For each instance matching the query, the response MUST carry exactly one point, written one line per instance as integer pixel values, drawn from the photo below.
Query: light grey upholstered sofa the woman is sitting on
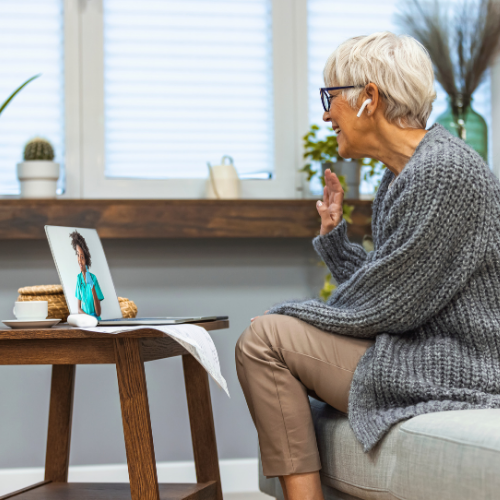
(450, 455)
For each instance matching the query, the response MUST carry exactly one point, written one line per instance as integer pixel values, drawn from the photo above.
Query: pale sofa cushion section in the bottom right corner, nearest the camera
(456, 452)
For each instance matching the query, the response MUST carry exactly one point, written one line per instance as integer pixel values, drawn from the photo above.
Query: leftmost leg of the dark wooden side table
(60, 416)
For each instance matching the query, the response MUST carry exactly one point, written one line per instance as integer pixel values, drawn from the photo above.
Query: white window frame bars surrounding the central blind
(84, 113)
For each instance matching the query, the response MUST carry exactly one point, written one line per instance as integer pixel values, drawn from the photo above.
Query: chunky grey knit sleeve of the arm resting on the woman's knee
(433, 233)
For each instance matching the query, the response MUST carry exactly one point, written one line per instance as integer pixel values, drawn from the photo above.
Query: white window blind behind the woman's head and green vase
(330, 22)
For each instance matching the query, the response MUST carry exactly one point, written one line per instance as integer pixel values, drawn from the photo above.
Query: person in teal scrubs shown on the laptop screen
(88, 291)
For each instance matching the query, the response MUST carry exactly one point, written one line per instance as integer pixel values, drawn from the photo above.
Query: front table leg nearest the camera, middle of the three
(136, 421)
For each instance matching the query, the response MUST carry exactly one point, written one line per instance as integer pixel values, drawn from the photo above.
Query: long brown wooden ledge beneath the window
(25, 219)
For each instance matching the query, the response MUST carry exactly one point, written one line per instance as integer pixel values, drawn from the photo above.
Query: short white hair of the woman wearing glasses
(401, 68)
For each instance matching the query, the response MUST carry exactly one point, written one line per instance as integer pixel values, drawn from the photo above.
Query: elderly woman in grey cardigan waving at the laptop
(414, 326)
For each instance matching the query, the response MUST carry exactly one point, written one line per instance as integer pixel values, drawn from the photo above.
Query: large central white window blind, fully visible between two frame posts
(186, 83)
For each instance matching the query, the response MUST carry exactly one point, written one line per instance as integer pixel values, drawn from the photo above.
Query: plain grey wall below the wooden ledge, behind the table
(240, 278)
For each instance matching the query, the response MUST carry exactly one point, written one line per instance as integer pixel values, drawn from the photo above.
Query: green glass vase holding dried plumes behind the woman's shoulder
(470, 126)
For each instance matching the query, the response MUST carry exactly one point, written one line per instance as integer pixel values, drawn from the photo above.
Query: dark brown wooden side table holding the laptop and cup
(64, 347)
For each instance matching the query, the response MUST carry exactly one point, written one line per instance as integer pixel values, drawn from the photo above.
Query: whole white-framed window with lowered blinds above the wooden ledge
(137, 97)
